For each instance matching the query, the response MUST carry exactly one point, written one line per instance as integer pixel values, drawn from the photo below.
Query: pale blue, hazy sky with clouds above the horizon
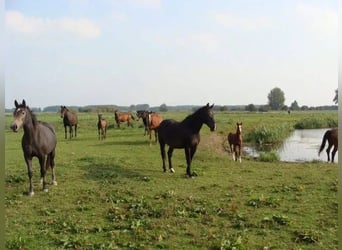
(124, 52)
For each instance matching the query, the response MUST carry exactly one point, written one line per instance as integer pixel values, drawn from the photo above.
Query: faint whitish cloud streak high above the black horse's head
(240, 22)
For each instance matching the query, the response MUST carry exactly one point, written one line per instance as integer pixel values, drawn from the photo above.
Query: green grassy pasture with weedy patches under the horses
(113, 194)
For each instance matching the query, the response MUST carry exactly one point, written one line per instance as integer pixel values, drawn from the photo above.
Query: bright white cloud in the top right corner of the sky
(319, 20)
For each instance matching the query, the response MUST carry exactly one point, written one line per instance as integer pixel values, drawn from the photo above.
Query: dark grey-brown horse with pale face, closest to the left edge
(39, 140)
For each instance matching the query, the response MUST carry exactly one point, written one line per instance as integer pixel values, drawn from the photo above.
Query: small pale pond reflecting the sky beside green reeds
(301, 146)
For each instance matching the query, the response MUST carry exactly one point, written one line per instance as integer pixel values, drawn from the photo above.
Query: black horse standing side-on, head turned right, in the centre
(184, 134)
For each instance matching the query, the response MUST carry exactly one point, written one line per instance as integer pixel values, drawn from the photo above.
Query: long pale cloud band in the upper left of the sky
(83, 27)
